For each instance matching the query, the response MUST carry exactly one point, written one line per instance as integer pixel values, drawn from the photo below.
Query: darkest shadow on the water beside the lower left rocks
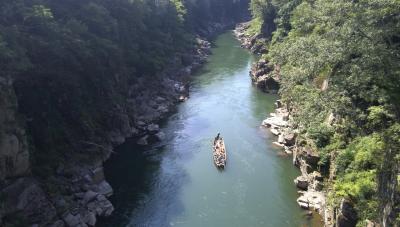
(130, 171)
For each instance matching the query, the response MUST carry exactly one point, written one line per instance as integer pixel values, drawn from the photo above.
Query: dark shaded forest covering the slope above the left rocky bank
(74, 62)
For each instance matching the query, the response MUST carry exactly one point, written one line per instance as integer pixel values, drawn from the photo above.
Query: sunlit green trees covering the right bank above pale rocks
(340, 72)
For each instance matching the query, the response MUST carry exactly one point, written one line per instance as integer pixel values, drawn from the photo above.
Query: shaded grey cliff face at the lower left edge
(19, 191)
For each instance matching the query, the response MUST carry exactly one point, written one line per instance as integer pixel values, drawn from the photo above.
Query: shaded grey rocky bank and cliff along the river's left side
(44, 188)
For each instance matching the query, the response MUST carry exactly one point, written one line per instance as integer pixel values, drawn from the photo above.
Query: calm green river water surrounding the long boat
(175, 183)
